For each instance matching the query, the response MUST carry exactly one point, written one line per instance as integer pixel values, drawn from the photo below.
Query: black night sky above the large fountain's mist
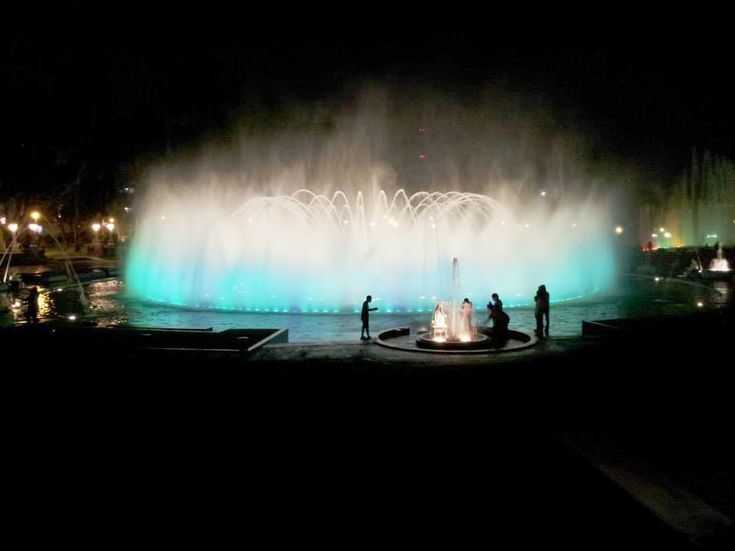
(104, 86)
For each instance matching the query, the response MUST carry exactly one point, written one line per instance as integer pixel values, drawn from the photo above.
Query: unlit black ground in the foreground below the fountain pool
(350, 449)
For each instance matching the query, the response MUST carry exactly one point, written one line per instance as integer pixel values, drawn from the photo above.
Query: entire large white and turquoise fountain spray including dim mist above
(311, 220)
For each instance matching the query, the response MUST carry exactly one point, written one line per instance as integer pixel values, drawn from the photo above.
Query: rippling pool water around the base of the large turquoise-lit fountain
(636, 297)
